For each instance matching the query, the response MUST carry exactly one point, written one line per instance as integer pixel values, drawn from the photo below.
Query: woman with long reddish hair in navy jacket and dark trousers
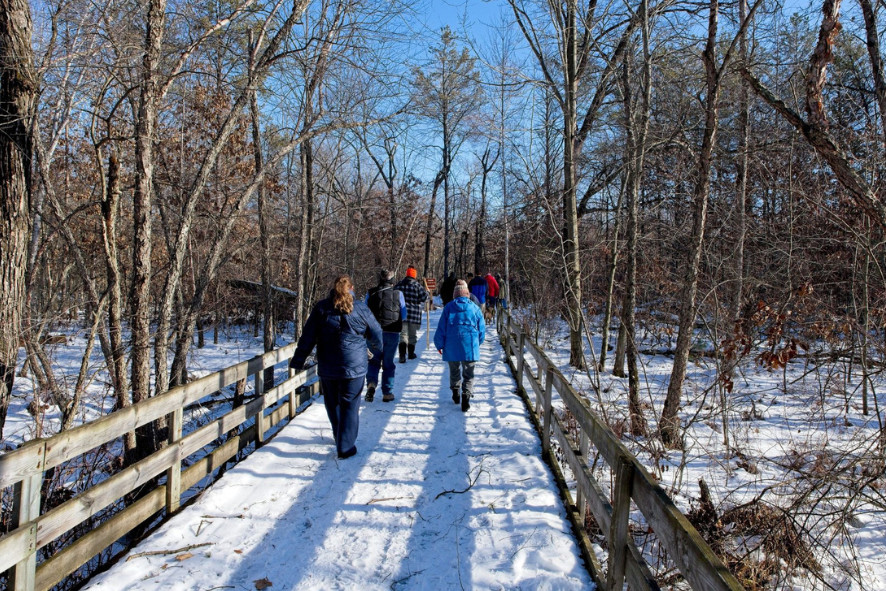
(340, 328)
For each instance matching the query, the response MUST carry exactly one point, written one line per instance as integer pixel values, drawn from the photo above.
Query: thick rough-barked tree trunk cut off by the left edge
(18, 91)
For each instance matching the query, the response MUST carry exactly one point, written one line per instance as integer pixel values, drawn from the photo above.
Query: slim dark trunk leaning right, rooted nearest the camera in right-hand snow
(671, 434)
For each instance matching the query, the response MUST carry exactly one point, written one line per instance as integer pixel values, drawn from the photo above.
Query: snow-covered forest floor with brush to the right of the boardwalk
(801, 482)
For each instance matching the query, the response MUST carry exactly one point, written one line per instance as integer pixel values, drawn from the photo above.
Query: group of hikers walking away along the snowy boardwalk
(386, 322)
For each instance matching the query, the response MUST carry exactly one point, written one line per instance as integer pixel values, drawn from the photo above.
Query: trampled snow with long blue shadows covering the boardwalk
(435, 499)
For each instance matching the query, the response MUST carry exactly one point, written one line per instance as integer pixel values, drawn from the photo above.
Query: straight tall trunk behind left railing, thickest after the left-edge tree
(140, 299)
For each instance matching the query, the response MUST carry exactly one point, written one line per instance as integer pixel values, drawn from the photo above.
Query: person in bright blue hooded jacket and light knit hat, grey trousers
(460, 332)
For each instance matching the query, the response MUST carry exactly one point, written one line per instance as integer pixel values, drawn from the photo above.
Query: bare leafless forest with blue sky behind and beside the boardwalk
(668, 167)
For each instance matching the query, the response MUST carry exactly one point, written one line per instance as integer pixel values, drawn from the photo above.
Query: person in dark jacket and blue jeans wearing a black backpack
(389, 307)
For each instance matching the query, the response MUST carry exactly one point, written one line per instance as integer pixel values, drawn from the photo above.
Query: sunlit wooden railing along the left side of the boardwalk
(24, 468)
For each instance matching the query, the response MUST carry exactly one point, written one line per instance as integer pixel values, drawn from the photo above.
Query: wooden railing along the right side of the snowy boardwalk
(698, 564)
